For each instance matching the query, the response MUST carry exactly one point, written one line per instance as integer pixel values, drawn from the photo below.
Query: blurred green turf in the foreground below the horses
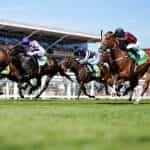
(73, 125)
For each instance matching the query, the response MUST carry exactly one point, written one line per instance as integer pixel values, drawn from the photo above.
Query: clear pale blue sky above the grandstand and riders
(83, 15)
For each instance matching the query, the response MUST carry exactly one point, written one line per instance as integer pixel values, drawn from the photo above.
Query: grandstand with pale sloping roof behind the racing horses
(57, 41)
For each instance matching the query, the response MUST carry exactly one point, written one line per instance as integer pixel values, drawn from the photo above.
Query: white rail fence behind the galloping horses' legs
(60, 87)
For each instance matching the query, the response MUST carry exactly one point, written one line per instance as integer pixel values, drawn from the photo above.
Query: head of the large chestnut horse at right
(108, 41)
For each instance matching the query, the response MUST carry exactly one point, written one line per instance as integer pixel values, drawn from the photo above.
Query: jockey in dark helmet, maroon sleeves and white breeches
(127, 41)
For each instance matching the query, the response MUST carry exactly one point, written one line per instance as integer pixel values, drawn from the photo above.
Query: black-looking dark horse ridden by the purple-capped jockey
(23, 62)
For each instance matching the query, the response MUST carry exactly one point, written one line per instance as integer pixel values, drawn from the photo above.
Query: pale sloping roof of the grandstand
(46, 32)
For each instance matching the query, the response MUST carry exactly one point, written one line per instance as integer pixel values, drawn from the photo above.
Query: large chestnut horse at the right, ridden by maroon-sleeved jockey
(122, 66)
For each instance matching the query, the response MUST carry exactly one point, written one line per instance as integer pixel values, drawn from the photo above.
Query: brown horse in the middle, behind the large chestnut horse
(83, 75)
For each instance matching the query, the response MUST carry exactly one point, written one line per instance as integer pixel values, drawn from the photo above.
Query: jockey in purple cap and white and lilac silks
(35, 49)
